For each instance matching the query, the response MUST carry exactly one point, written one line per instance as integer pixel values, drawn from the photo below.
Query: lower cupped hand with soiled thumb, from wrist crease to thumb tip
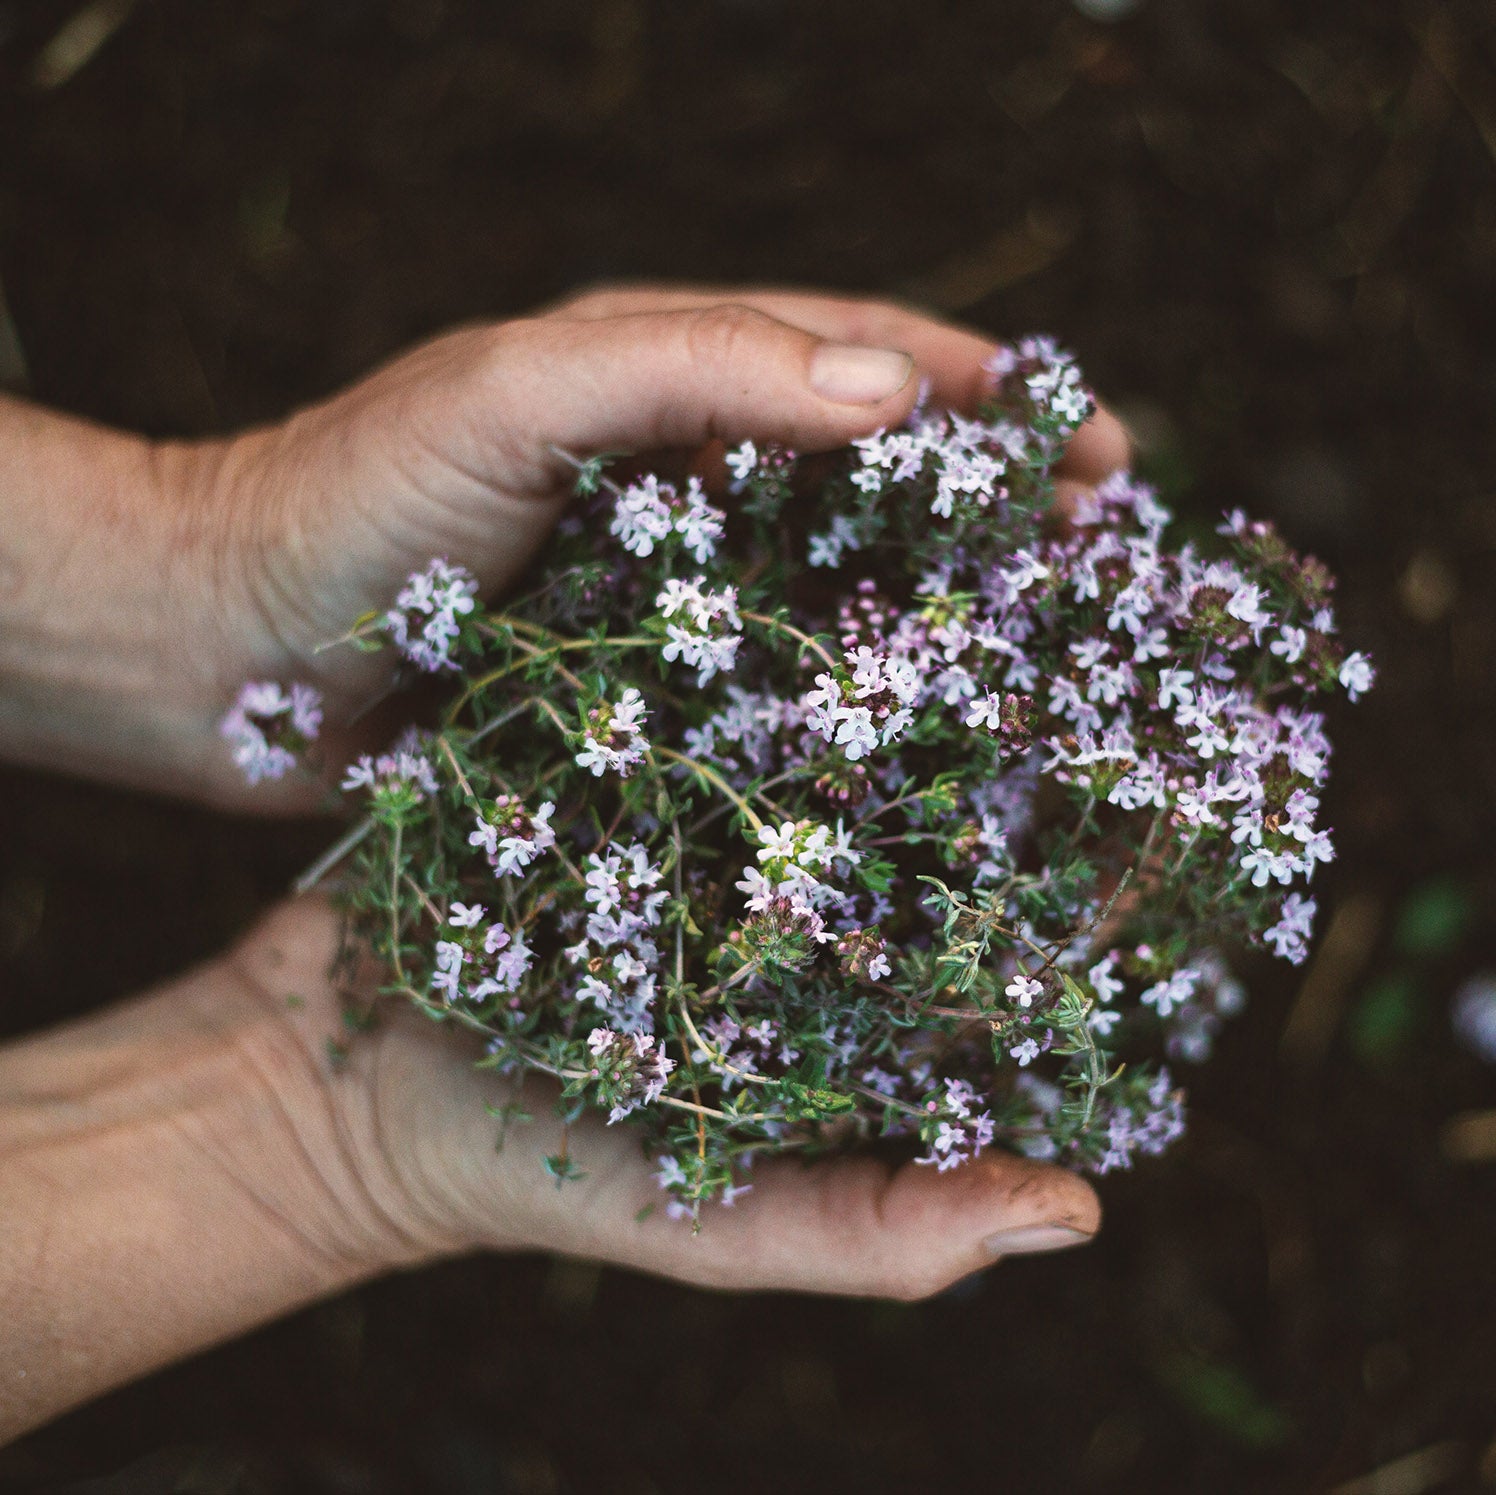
(403, 1147)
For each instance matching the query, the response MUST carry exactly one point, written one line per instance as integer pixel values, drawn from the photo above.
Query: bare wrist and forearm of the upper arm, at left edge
(102, 620)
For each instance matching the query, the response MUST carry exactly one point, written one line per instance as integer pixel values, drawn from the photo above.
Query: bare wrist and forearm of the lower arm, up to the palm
(174, 1173)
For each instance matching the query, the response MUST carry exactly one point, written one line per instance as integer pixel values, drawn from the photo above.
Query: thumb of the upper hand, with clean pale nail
(681, 378)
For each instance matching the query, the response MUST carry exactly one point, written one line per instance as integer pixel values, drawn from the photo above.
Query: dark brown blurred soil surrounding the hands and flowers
(1268, 230)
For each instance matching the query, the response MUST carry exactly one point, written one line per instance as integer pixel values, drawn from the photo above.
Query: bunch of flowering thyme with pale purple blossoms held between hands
(963, 806)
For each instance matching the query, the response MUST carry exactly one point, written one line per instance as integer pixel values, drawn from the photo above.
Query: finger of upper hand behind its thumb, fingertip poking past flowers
(951, 357)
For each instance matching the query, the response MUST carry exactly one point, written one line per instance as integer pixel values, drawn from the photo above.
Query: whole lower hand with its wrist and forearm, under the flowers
(185, 1167)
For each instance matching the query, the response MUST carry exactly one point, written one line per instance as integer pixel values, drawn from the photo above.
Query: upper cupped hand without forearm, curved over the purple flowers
(453, 451)
